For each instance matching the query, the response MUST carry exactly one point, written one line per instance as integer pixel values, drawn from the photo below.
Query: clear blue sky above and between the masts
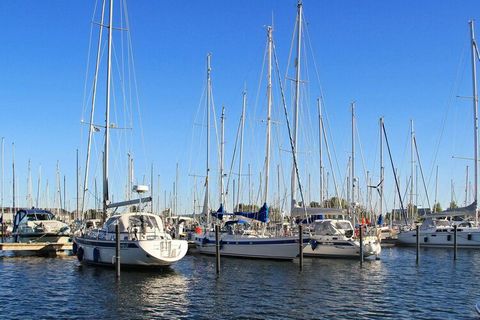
(400, 59)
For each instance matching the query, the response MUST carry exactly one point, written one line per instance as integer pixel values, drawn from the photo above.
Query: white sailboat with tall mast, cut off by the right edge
(436, 230)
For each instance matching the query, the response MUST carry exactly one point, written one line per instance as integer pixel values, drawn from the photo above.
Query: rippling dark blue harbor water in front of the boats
(393, 287)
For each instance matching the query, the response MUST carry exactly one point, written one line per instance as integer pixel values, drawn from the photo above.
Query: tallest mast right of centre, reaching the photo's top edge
(297, 101)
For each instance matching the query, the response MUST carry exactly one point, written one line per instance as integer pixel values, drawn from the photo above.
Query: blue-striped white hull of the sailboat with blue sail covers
(279, 248)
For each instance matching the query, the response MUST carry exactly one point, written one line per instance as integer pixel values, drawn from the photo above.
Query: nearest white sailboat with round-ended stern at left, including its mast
(143, 239)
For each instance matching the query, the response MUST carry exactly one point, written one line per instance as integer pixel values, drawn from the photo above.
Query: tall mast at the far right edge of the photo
(475, 116)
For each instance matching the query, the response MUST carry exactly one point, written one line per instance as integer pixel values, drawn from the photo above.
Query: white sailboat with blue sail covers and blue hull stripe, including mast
(238, 241)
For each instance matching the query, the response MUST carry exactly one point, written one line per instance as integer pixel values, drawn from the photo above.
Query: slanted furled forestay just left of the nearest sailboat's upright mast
(92, 112)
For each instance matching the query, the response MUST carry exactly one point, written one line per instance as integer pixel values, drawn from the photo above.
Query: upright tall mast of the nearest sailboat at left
(107, 115)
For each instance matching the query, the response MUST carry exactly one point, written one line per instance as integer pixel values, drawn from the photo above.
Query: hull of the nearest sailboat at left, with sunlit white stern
(139, 253)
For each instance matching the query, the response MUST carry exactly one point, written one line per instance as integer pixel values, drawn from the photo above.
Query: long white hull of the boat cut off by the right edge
(442, 237)
